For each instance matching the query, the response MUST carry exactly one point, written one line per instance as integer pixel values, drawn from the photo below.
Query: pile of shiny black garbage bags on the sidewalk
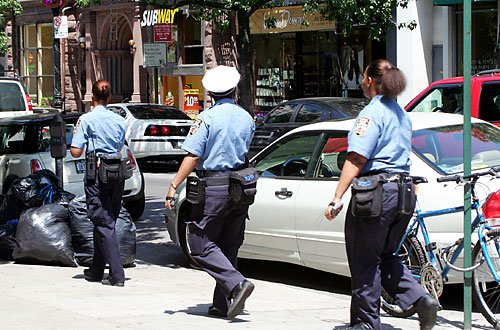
(43, 224)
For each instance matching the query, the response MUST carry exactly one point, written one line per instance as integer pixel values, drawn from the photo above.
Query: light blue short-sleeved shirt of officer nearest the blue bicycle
(382, 134)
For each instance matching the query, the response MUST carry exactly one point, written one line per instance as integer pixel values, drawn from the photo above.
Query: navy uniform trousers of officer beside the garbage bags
(103, 207)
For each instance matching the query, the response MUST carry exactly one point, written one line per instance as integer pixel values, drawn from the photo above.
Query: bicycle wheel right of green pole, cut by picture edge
(486, 291)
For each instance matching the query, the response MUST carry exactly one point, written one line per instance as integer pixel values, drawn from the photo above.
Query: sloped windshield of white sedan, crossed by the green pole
(442, 147)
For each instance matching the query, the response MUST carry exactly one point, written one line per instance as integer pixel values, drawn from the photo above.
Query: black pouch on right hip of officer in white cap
(243, 186)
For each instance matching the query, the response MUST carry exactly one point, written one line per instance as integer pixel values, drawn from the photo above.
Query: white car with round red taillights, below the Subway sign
(154, 131)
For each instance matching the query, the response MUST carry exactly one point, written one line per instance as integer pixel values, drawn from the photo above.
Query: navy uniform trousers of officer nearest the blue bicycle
(370, 245)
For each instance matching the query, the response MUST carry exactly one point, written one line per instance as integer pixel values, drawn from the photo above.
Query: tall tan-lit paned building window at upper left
(37, 67)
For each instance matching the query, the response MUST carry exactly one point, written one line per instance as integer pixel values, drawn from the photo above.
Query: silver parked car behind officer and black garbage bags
(25, 149)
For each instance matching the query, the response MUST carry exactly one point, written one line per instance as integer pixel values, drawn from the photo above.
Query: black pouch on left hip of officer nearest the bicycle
(366, 201)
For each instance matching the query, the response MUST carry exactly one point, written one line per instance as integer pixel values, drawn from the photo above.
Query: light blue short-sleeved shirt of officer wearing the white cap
(220, 136)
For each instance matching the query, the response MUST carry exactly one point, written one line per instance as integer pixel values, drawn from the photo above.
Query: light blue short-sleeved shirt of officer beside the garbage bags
(101, 130)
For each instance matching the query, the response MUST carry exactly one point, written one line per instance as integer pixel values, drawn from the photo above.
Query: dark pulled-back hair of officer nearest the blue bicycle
(389, 80)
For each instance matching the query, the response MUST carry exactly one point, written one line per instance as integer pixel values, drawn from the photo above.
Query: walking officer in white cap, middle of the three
(217, 145)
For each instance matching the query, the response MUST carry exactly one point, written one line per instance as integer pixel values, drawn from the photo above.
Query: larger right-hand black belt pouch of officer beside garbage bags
(113, 168)
